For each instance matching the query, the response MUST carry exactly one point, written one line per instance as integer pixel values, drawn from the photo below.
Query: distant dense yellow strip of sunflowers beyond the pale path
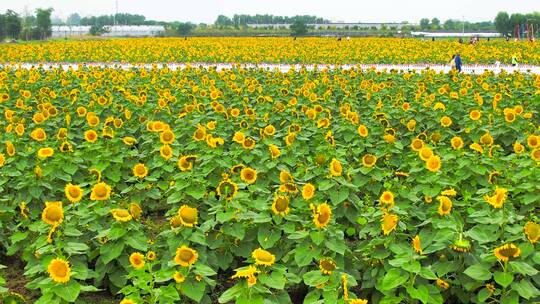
(270, 50)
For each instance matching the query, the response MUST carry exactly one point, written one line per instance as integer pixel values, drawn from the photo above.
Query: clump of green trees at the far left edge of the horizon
(29, 27)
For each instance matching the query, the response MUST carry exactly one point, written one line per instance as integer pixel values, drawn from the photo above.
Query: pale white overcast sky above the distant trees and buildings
(334, 10)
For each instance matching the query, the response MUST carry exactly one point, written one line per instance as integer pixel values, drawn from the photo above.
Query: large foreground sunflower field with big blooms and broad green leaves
(256, 186)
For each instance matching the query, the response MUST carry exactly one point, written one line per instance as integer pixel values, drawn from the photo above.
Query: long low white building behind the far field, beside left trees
(113, 31)
